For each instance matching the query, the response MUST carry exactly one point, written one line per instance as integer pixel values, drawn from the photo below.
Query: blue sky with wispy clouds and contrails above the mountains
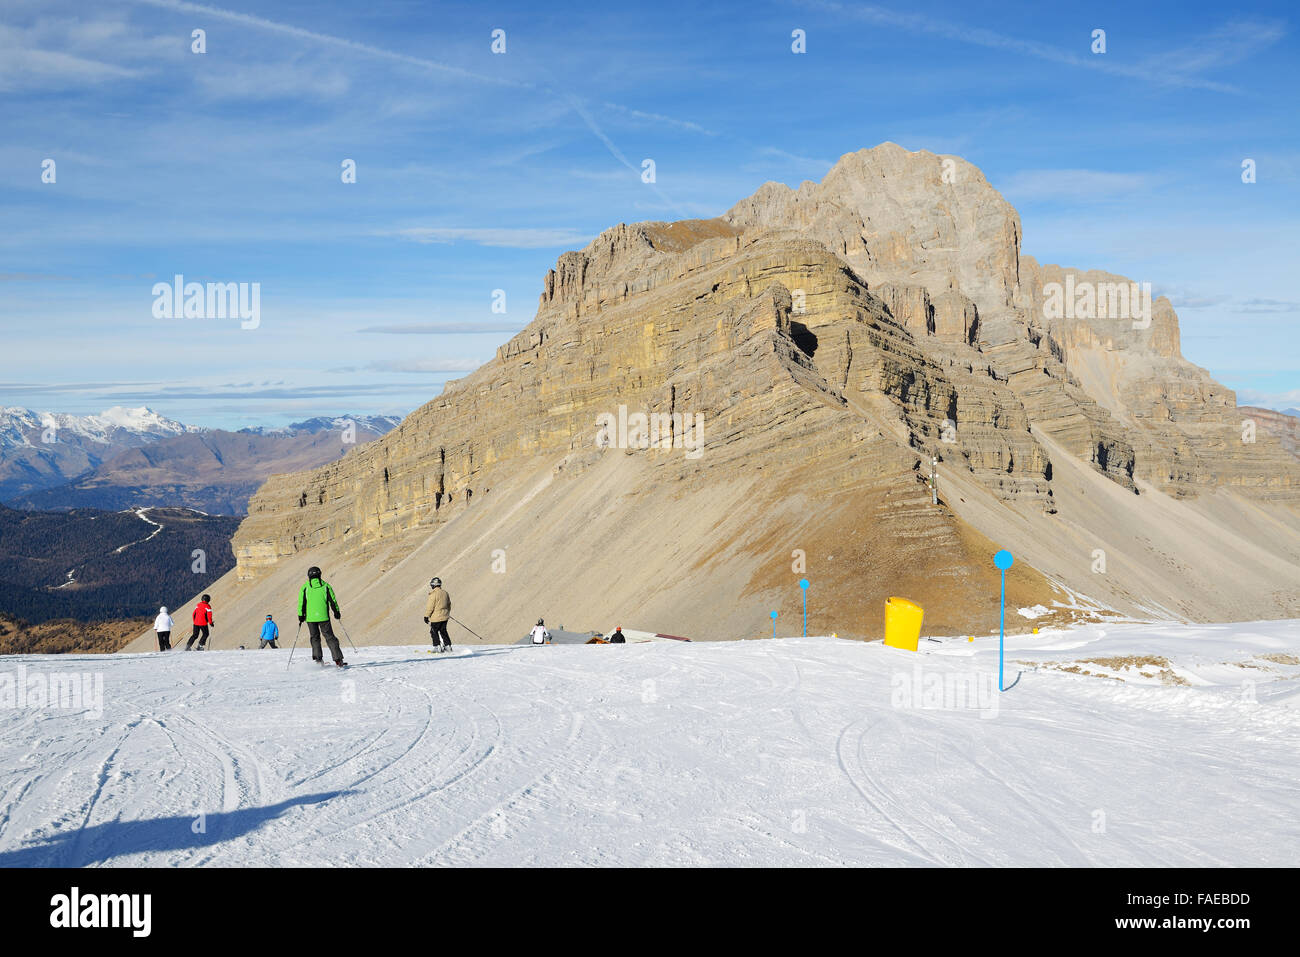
(476, 171)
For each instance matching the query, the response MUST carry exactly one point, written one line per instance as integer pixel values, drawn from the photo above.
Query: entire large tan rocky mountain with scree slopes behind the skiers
(704, 413)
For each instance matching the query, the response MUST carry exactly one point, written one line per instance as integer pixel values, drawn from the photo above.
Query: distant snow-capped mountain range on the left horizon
(127, 458)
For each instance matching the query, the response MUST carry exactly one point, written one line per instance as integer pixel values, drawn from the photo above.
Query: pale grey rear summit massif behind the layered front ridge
(942, 248)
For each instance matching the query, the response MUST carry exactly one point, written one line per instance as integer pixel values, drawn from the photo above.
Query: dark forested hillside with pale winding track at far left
(94, 565)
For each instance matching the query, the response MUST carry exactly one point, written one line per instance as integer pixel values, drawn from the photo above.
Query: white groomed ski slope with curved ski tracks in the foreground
(1116, 746)
